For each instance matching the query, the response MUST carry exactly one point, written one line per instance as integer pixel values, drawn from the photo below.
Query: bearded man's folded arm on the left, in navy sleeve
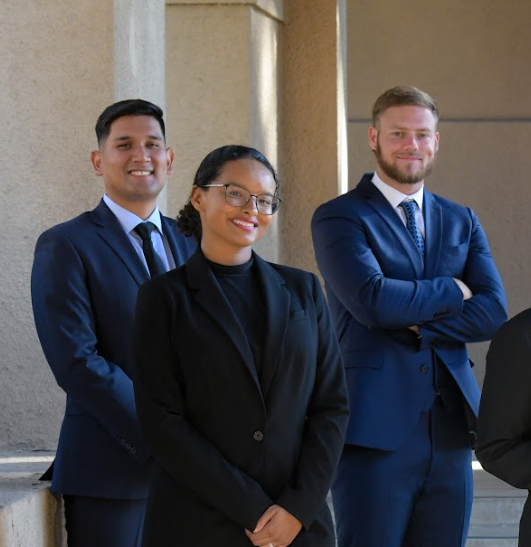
(349, 266)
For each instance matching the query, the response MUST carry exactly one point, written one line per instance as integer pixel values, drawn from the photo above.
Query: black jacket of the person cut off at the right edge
(504, 425)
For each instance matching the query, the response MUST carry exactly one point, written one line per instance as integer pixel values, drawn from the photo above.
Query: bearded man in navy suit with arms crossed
(410, 281)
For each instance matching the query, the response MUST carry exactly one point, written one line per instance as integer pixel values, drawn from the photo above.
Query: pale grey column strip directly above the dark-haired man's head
(139, 55)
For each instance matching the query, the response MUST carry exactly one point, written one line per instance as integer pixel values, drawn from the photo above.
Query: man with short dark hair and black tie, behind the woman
(85, 279)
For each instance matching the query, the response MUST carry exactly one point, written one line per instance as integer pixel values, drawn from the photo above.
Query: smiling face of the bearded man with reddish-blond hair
(405, 143)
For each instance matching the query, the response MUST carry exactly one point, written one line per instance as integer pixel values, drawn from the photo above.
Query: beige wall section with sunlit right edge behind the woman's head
(221, 89)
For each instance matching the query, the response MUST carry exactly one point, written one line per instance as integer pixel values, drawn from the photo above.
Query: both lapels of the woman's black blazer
(277, 300)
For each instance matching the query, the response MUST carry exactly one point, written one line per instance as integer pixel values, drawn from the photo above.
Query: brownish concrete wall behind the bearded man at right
(473, 57)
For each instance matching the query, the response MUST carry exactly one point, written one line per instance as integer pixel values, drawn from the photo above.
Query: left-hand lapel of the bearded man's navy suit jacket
(379, 203)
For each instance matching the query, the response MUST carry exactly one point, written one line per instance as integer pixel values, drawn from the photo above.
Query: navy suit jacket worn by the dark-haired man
(85, 279)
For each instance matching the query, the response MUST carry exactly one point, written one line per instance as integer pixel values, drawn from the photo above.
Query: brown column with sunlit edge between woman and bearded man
(314, 162)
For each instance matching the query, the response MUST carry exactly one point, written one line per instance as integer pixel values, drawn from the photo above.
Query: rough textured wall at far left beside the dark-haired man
(56, 77)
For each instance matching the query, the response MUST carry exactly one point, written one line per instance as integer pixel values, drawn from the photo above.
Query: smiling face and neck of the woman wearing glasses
(228, 231)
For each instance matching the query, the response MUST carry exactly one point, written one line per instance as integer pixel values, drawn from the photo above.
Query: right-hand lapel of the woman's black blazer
(277, 304)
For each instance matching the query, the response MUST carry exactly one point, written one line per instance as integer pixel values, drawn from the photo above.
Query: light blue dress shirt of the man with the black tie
(129, 221)
